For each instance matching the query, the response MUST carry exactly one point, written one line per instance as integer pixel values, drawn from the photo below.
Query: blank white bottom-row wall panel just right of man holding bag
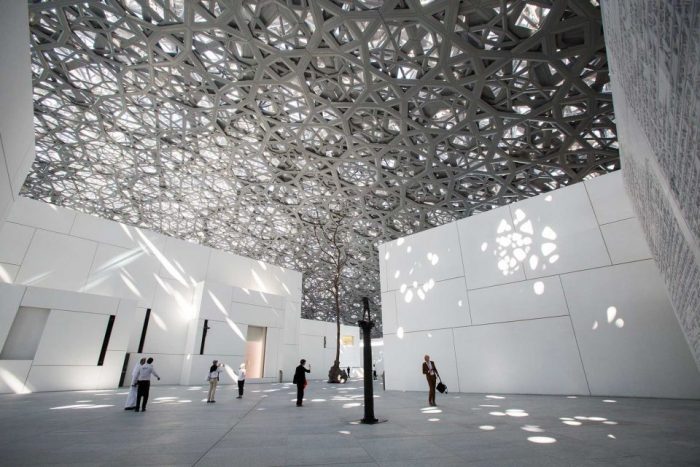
(532, 357)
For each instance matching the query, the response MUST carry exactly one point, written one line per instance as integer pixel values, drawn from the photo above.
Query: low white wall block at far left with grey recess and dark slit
(68, 350)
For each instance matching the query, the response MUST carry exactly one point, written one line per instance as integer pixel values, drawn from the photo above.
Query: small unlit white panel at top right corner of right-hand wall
(609, 199)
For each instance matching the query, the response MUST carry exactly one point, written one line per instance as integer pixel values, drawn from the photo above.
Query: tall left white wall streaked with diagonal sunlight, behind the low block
(53, 248)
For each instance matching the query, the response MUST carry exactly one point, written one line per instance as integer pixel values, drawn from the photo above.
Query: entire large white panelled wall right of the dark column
(556, 294)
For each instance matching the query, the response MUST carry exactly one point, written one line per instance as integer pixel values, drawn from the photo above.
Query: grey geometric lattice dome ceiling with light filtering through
(241, 124)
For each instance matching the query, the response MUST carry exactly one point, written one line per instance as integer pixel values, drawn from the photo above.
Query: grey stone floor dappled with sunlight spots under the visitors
(266, 429)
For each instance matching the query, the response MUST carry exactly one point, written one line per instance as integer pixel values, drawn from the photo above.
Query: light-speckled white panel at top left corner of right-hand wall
(431, 255)
